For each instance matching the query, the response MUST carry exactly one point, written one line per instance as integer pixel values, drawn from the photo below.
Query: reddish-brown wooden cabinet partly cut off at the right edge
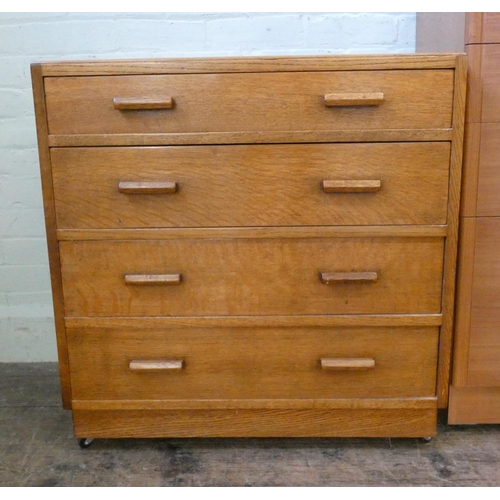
(477, 348)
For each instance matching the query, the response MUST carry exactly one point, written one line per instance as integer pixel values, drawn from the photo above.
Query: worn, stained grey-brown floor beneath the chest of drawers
(37, 448)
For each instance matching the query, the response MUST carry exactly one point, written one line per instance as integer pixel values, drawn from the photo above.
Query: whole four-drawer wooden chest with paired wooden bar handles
(253, 246)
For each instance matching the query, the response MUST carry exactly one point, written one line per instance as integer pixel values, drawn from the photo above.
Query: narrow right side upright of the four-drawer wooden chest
(450, 255)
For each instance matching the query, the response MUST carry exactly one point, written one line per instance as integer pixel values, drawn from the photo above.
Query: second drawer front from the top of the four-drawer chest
(255, 185)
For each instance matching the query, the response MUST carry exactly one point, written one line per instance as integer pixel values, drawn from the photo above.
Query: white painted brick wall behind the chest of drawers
(26, 322)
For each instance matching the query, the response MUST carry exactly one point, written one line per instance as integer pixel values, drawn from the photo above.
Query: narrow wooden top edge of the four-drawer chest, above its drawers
(250, 64)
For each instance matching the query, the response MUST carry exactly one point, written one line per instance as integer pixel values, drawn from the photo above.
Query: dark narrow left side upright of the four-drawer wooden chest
(50, 224)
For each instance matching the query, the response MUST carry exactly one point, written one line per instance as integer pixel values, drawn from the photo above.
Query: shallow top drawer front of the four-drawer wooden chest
(232, 102)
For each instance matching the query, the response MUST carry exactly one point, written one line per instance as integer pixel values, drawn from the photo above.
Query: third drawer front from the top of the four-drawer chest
(196, 277)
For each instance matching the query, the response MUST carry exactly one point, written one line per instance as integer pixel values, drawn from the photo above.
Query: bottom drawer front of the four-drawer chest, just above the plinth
(253, 363)
